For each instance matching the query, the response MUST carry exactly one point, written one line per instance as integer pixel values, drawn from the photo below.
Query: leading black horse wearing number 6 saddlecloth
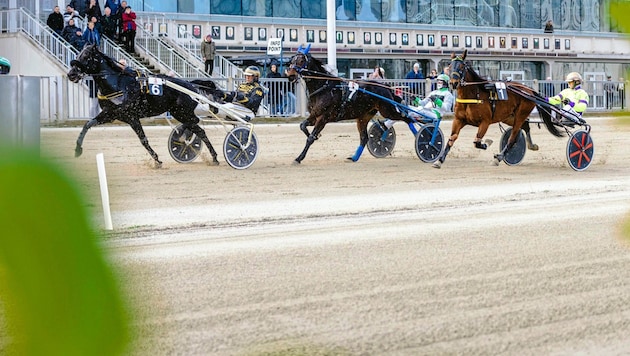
(124, 96)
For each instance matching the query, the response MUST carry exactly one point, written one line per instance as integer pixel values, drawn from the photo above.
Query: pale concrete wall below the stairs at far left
(26, 57)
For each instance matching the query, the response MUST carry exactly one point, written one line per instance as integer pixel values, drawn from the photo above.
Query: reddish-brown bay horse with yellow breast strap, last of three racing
(478, 104)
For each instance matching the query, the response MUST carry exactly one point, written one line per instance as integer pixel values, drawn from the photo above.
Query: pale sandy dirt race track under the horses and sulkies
(380, 257)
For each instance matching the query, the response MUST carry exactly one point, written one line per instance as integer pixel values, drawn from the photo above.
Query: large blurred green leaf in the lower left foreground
(59, 294)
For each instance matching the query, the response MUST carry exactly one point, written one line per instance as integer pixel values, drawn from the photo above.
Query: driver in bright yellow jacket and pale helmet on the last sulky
(574, 99)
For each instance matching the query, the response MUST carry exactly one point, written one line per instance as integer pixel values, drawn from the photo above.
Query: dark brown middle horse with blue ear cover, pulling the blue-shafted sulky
(331, 101)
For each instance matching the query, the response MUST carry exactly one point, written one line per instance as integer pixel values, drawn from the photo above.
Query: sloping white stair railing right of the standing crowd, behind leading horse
(165, 55)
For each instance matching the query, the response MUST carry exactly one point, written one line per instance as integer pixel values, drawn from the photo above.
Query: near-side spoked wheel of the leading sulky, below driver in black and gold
(239, 148)
